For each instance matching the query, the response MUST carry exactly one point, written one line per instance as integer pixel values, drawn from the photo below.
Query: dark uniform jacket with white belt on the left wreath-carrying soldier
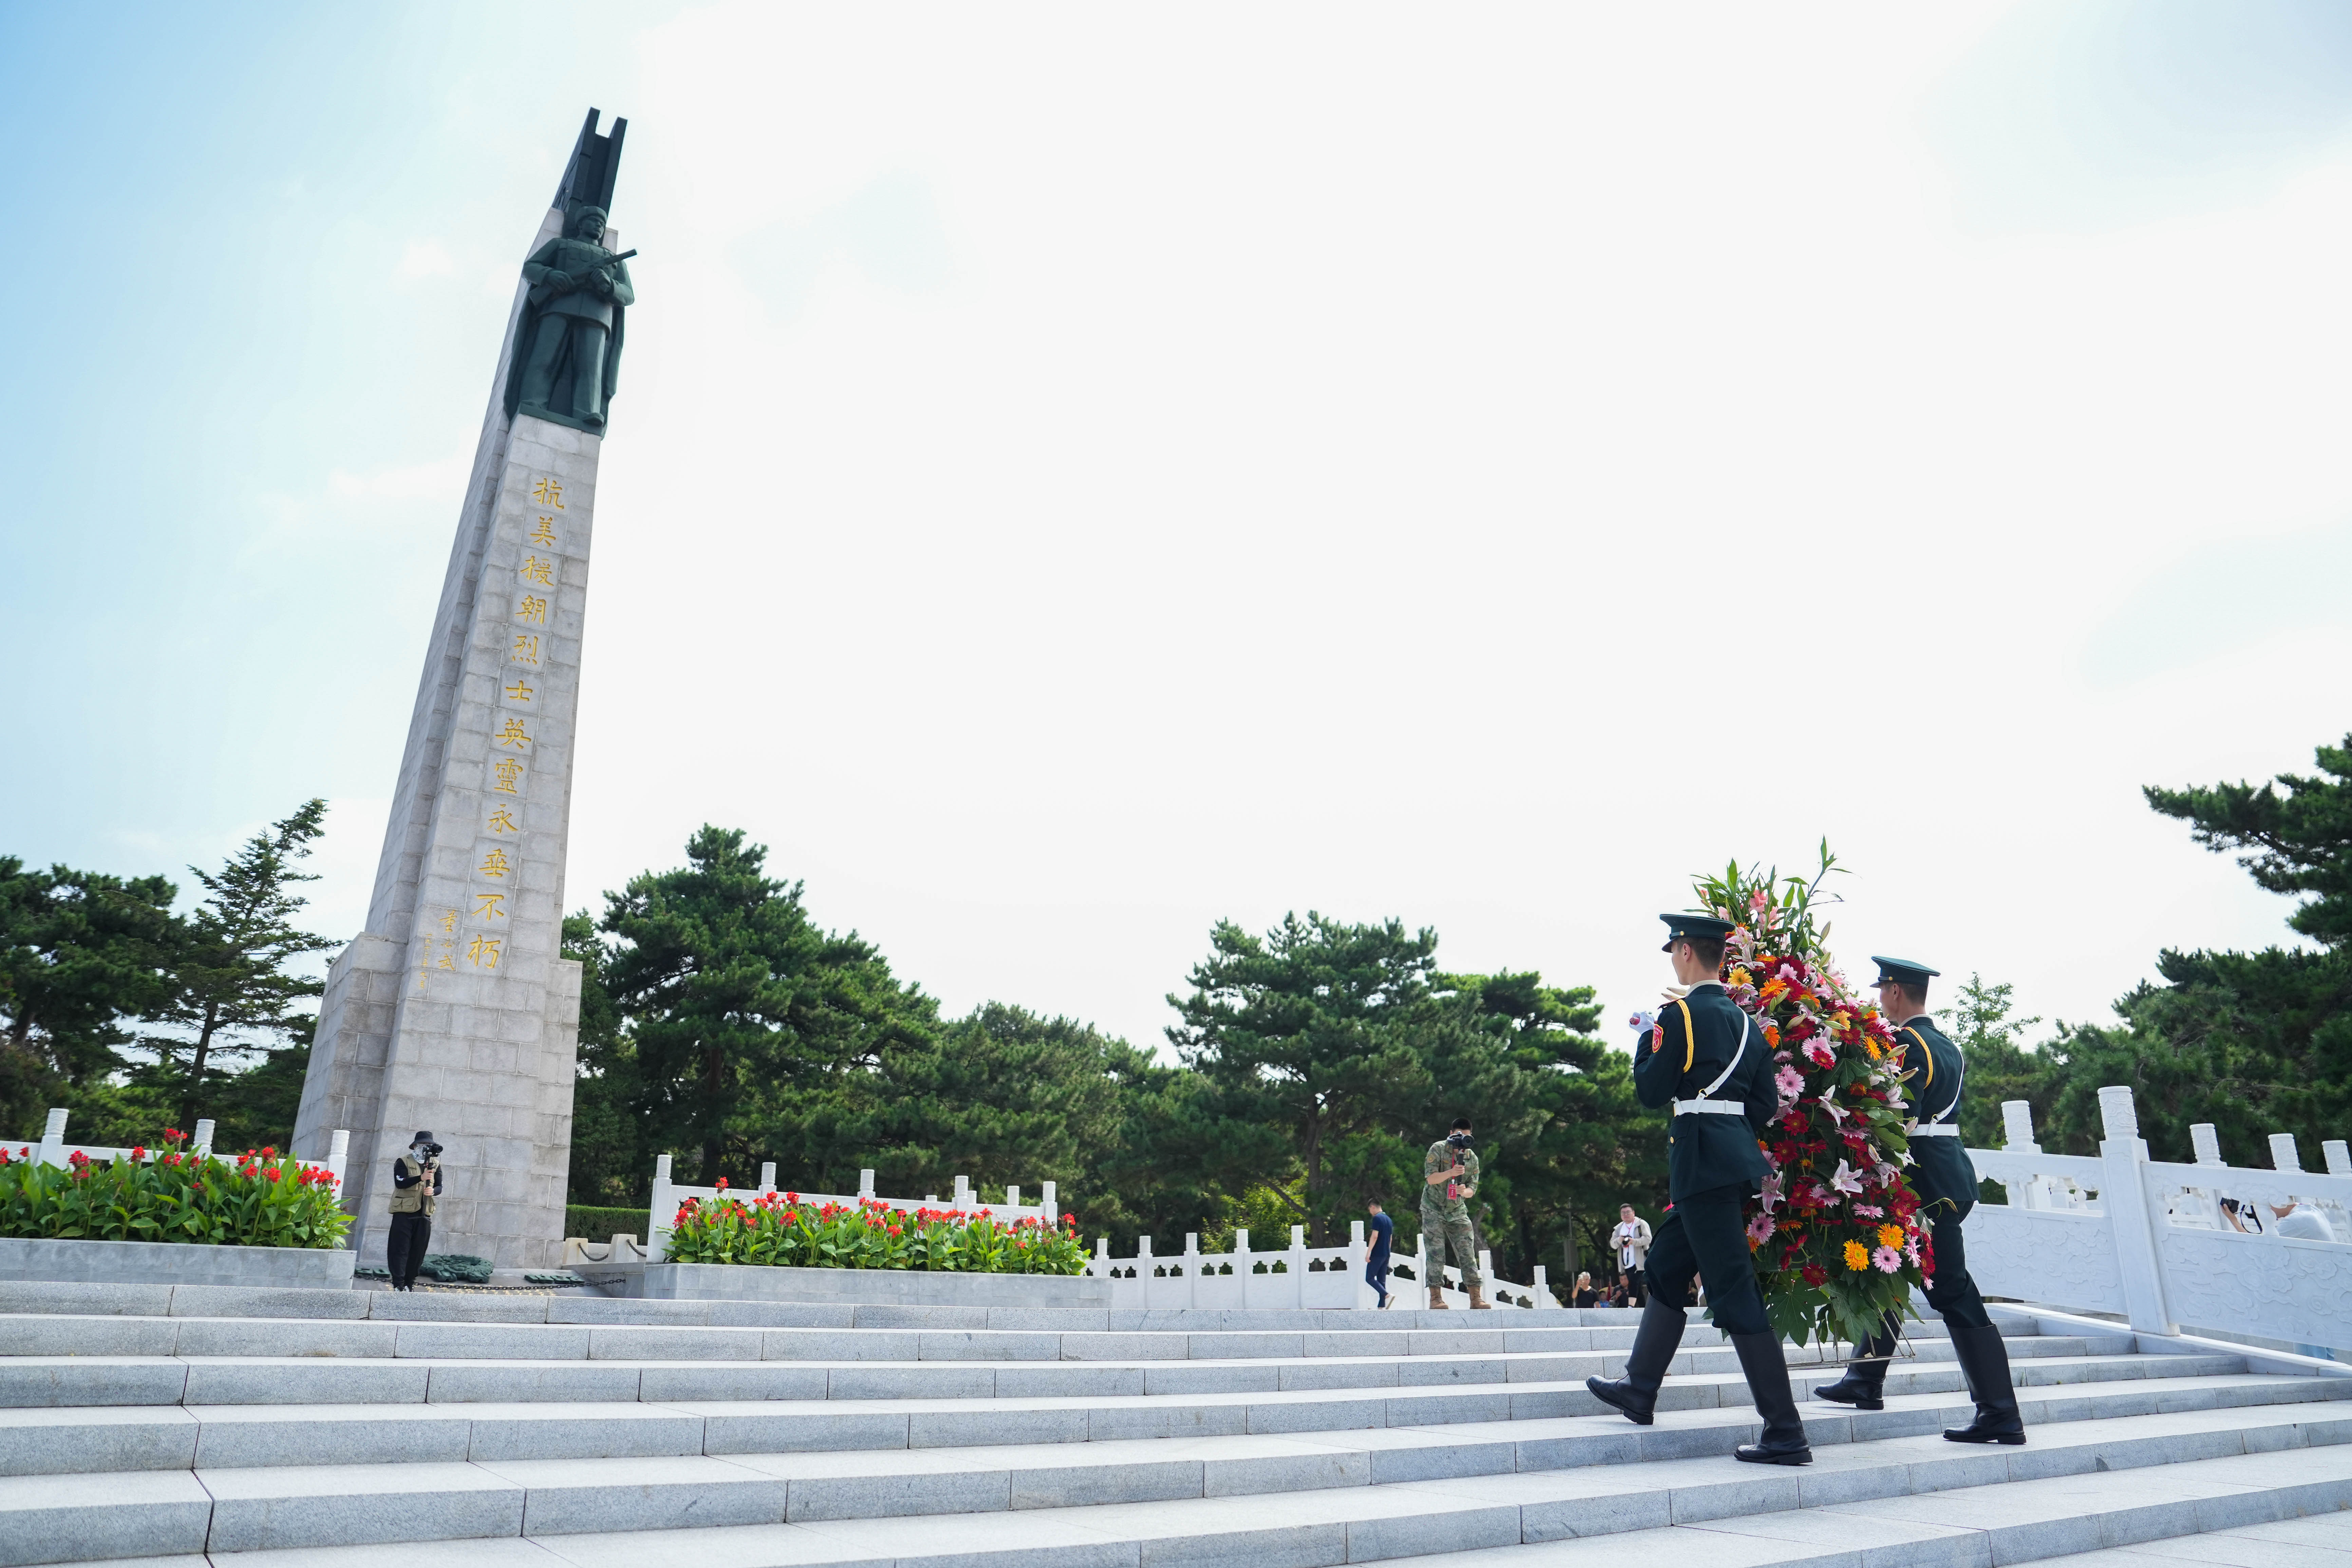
(1690, 1047)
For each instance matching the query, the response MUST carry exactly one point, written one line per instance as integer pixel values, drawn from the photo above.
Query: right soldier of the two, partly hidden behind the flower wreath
(1946, 1186)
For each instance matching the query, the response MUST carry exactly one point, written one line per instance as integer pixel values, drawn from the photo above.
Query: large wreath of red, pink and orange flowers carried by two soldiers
(1836, 1235)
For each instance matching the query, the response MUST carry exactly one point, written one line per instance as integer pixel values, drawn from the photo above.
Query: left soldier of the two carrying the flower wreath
(1709, 1059)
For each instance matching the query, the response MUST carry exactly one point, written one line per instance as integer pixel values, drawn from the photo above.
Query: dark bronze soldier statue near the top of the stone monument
(568, 349)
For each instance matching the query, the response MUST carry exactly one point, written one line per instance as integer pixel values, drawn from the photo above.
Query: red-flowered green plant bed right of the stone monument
(782, 1231)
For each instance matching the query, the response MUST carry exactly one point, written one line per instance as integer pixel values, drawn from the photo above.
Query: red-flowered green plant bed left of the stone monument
(255, 1200)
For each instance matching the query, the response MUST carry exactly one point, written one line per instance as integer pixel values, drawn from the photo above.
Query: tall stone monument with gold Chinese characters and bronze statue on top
(455, 1010)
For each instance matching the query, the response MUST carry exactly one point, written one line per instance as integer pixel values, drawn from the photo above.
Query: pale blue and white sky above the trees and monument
(1083, 474)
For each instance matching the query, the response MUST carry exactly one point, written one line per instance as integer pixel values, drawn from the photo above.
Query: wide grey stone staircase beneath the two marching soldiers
(290, 1428)
